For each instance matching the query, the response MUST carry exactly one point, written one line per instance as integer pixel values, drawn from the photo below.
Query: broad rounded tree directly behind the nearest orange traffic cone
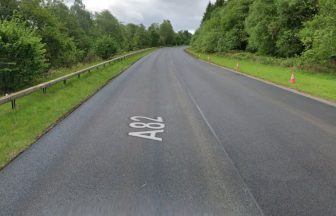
(274, 25)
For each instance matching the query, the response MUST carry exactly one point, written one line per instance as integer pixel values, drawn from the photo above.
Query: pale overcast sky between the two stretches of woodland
(184, 14)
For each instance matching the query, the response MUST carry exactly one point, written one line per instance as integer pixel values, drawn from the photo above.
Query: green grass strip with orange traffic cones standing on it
(322, 85)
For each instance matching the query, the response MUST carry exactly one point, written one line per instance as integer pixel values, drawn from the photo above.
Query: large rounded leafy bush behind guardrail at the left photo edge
(22, 55)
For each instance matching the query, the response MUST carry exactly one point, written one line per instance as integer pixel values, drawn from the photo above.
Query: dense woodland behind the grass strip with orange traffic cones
(302, 29)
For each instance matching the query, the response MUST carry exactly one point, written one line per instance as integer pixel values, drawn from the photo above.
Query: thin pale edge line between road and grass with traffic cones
(330, 103)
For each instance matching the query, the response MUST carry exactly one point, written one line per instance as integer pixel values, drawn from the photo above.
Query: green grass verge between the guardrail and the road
(19, 128)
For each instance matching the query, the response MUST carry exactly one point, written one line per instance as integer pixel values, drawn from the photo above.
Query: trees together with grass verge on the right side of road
(267, 37)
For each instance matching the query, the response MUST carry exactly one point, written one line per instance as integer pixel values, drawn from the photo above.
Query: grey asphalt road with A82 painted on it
(230, 145)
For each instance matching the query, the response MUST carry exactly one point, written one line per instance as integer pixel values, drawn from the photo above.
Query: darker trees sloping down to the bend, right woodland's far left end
(225, 29)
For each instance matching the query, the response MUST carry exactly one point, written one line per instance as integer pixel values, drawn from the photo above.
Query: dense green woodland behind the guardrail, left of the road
(37, 35)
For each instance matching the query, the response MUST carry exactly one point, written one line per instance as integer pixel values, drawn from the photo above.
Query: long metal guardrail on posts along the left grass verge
(12, 97)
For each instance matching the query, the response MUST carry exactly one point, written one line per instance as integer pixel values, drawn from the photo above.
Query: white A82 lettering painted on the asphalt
(155, 127)
